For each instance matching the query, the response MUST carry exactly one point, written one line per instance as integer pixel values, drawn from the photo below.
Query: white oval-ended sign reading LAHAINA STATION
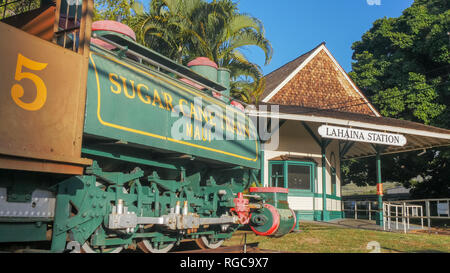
(359, 135)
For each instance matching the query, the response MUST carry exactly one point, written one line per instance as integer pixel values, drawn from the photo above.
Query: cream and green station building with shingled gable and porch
(323, 119)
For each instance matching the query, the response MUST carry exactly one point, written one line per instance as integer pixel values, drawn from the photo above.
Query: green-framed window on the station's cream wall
(296, 175)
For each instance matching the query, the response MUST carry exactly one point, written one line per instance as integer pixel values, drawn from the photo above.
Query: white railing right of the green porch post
(414, 209)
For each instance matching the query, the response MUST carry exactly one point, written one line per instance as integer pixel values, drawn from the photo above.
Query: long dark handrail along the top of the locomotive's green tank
(162, 62)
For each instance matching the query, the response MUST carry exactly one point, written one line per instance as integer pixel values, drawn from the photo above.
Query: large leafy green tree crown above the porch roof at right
(403, 63)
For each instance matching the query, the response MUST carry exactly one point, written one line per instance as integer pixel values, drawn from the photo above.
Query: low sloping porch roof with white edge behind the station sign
(418, 136)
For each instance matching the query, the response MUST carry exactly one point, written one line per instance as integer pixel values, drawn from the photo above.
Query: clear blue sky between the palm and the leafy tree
(294, 27)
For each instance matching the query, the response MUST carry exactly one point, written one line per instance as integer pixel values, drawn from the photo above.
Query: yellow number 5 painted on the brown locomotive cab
(17, 89)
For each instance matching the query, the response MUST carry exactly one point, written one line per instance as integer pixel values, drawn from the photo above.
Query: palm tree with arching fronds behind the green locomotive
(186, 29)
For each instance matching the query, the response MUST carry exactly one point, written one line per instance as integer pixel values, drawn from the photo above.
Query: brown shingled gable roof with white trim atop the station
(316, 80)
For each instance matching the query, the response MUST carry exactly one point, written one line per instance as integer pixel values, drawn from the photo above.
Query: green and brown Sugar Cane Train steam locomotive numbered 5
(109, 145)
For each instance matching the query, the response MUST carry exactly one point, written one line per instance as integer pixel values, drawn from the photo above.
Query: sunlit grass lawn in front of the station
(317, 238)
